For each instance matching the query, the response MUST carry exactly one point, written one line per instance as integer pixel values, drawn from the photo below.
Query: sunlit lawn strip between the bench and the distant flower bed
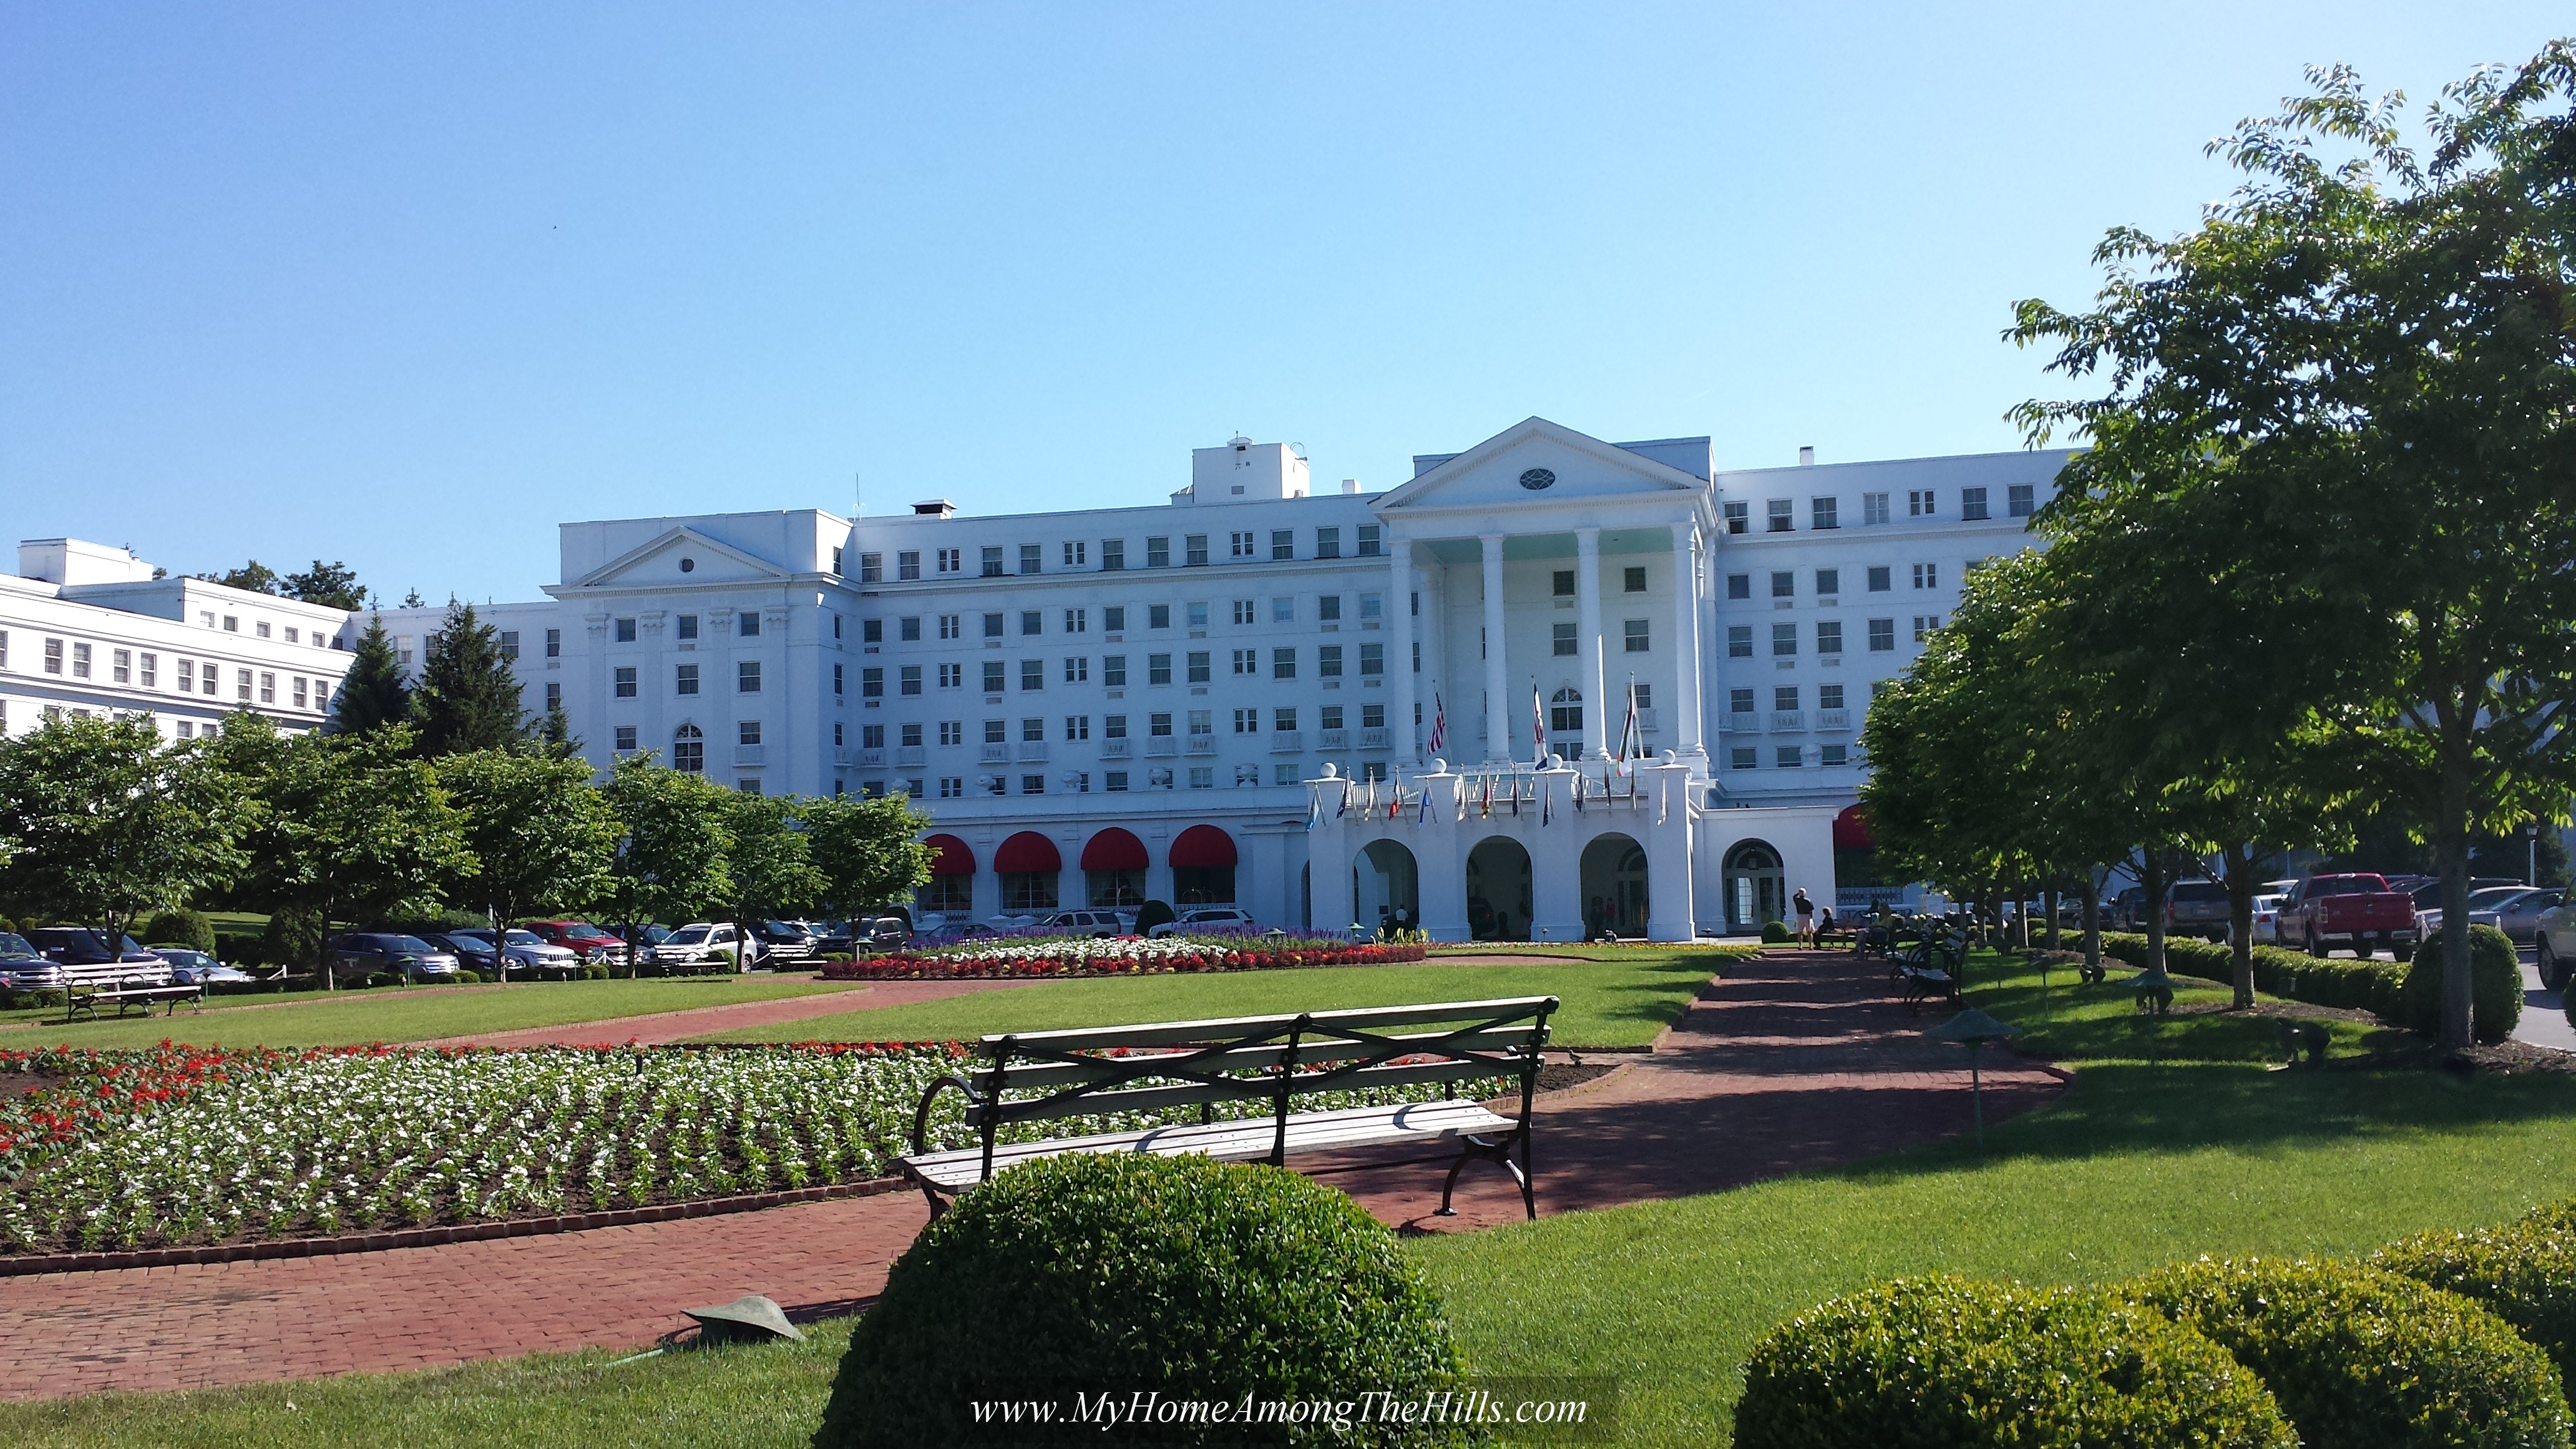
(1619, 1002)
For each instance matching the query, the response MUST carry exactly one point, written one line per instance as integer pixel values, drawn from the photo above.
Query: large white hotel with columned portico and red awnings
(1140, 703)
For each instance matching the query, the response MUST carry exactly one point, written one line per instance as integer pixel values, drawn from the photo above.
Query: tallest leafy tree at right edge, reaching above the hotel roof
(2379, 347)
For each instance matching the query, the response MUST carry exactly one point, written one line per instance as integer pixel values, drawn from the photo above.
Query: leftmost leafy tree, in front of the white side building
(112, 824)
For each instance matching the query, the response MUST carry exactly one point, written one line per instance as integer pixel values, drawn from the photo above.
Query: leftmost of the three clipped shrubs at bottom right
(1964, 1365)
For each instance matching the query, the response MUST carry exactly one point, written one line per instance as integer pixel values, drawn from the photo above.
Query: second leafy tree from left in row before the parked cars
(354, 826)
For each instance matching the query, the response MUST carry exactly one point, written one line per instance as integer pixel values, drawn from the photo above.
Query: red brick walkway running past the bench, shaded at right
(1789, 1064)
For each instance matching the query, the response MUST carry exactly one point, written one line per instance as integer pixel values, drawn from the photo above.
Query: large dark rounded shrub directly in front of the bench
(1142, 1275)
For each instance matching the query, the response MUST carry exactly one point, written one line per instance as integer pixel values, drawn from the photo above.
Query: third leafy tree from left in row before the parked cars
(540, 831)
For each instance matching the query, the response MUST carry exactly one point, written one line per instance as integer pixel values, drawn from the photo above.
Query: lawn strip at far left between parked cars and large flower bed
(408, 1015)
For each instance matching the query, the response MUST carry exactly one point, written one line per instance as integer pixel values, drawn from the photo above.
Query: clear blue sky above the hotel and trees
(413, 285)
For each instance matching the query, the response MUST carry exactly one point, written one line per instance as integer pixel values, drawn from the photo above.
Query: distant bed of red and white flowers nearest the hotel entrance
(1119, 958)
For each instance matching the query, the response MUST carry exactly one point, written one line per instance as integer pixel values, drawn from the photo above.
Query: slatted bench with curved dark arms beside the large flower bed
(1047, 1076)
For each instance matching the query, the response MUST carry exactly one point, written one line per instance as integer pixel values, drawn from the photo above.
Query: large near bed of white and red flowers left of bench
(187, 1146)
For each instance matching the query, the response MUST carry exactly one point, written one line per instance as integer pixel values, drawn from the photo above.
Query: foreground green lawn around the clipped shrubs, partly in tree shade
(2163, 1149)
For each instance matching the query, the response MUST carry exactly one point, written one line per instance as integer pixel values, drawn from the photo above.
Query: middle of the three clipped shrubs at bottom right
(2369, 1360)
